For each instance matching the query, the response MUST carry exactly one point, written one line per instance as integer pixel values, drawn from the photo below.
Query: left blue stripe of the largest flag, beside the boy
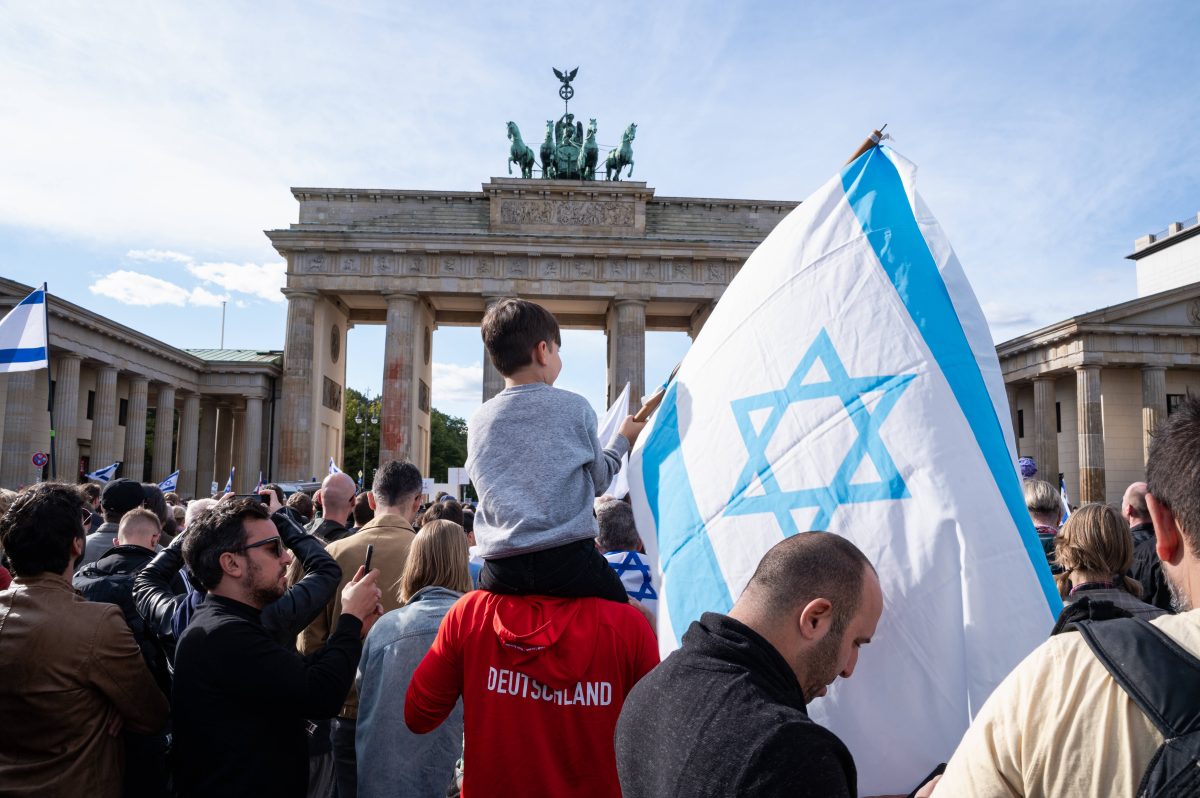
(683, 538)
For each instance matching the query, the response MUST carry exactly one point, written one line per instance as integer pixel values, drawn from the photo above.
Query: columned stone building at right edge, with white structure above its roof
(1088, 393)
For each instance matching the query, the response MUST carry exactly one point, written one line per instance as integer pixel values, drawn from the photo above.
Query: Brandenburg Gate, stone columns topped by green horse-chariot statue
(602, 255)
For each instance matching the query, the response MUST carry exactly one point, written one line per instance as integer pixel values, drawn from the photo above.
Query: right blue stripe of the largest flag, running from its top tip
(875, 190)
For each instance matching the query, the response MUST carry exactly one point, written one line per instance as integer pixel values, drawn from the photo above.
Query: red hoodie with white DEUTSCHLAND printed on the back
(543, 681)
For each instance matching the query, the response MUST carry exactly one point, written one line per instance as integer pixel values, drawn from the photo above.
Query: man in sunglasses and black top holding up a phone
(241, 698)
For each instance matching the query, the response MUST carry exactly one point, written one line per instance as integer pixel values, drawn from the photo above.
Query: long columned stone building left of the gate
(209, 409)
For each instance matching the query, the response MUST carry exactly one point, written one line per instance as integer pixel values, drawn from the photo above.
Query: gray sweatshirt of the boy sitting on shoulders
(537, 464)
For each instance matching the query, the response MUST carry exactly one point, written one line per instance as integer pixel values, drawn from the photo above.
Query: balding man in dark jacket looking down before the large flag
(812, 604)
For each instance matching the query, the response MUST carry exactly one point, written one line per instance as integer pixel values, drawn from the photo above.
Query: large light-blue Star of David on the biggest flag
(842, 490)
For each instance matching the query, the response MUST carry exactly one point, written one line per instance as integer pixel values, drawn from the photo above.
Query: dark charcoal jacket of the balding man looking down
(725, 716)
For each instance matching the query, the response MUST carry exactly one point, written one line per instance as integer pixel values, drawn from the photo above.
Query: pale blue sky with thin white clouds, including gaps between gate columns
(148, 145)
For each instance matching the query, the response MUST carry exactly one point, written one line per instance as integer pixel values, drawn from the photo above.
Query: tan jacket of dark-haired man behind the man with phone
(392, 537)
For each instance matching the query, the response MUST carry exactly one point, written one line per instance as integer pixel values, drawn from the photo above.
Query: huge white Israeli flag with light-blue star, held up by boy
(848, 382)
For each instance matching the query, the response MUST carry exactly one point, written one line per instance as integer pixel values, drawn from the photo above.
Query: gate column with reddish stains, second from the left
(400, 349)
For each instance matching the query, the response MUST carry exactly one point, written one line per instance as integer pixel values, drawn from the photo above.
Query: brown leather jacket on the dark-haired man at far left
(68, 669)
